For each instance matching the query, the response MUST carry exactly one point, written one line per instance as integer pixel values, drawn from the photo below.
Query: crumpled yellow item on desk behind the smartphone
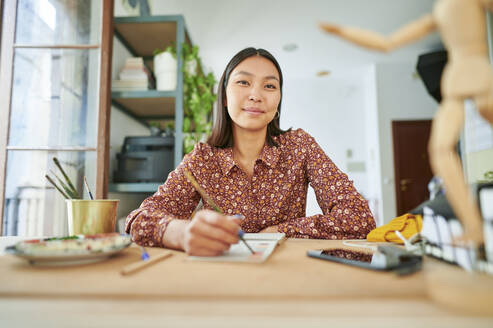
(407, 224)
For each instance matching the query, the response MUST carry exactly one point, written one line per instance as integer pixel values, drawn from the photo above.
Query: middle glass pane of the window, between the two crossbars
(54, 98)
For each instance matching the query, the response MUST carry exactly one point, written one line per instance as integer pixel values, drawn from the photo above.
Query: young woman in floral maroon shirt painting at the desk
(252, 169)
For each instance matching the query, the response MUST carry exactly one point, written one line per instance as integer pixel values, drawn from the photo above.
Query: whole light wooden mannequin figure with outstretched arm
(467, 75)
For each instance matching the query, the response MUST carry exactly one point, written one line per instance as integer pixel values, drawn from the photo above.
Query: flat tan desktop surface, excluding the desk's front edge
(287, 273)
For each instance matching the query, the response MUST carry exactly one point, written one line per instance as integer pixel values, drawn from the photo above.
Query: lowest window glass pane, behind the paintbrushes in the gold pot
(32, 207)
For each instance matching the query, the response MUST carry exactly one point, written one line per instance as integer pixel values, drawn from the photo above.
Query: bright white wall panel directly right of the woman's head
(332, 110)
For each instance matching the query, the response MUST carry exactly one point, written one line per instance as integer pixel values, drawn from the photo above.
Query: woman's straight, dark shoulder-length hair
(222, 131)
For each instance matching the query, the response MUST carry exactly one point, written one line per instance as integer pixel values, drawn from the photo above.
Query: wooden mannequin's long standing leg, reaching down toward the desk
(445, 162)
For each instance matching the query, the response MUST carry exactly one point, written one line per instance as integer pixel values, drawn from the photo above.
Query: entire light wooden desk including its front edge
(290, 289)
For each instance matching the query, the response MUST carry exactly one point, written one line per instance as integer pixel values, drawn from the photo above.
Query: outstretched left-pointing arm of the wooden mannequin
(407, 34)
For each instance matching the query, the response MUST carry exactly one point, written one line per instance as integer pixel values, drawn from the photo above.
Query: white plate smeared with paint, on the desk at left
(58, 252)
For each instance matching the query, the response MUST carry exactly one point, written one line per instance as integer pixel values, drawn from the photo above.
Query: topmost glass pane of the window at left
(58, 22)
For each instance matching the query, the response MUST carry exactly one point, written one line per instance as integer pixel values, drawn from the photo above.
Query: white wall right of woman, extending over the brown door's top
(353, 110)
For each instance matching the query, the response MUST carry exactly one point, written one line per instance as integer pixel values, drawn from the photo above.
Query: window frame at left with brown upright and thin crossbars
(8, 9)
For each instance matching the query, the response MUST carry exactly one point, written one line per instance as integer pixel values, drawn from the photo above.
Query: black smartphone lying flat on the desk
(386, 258)
